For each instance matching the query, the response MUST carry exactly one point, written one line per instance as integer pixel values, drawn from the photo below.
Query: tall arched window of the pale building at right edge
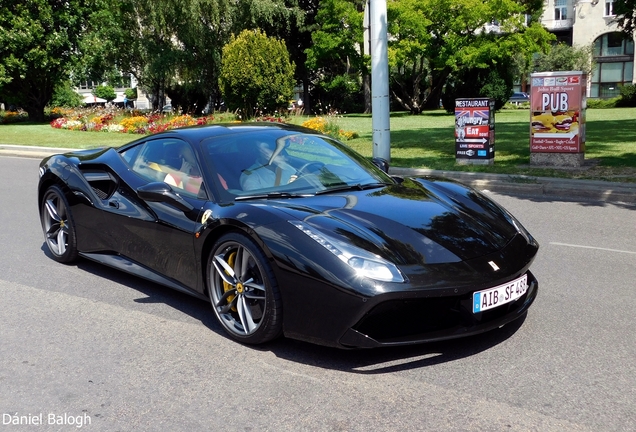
(614, 57)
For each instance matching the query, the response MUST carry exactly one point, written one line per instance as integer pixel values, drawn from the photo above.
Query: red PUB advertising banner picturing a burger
(557, 112)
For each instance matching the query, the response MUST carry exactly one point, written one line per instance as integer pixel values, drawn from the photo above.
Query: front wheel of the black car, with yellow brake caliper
(243, 290)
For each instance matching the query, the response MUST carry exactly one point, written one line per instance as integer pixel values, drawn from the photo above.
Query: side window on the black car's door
(168, 160)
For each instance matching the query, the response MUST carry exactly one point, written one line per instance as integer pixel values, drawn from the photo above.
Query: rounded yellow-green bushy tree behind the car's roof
(256, 73)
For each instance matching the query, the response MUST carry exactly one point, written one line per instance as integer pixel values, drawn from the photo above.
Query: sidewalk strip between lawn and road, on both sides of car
(545, 187)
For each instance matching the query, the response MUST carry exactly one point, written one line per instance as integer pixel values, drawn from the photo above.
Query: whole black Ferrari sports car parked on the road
(289, 232)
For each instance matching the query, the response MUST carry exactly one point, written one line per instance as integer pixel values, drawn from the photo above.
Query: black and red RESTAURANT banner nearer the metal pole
(475, 131)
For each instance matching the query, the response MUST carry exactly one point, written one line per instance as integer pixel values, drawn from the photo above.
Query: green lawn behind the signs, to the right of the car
(427, 141)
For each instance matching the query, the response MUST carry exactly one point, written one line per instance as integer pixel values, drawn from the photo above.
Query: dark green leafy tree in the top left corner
(39, 43)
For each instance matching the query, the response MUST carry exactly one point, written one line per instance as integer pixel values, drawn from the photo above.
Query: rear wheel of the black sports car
(58, 225)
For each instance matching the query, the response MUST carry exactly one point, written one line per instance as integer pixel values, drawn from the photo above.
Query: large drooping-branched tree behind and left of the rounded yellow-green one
(174, 48)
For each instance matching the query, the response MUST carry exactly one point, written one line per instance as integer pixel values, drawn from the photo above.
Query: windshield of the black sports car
(285, 163)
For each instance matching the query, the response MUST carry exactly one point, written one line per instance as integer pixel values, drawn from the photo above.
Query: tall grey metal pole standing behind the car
(379, 80)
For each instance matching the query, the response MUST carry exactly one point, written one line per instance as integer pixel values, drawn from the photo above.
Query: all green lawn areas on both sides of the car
(426, 141)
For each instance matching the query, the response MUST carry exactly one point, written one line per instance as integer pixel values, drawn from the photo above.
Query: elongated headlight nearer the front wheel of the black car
(363, 262)
